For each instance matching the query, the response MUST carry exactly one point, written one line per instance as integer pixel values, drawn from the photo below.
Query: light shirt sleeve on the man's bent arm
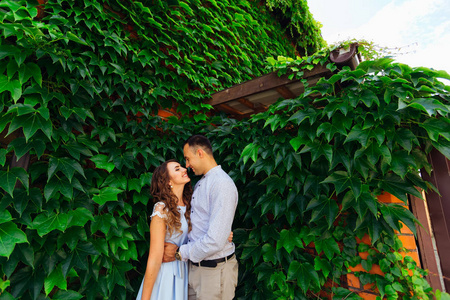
(223, 197)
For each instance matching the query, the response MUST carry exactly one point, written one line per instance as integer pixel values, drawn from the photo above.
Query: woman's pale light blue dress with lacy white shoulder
(172, 280)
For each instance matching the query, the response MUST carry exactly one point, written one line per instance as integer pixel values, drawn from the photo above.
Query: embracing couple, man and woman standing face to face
(191, 251)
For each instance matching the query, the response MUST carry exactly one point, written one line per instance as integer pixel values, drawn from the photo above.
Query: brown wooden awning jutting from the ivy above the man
(256, 95)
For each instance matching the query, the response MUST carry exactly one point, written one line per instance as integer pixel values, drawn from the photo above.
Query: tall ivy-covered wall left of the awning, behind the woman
(81, 83)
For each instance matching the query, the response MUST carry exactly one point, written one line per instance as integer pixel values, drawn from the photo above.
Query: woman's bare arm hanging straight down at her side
(157, 235)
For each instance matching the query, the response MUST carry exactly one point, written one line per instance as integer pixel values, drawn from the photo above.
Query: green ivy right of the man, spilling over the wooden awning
(314, 167)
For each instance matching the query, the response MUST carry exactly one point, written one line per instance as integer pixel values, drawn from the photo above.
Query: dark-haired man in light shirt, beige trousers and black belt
(213, 268)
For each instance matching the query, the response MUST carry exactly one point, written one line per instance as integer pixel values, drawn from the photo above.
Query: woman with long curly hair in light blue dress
(170, 222)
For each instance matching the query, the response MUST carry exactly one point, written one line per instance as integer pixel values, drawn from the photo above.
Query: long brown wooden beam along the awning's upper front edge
(261, 84)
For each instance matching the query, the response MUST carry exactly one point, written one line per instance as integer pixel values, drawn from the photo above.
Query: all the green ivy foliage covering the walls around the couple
(81, 85)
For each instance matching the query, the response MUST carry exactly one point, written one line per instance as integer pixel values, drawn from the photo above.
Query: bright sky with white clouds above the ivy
(417, 30)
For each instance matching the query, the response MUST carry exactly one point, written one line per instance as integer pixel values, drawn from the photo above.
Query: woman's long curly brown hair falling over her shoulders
(161, 192)
